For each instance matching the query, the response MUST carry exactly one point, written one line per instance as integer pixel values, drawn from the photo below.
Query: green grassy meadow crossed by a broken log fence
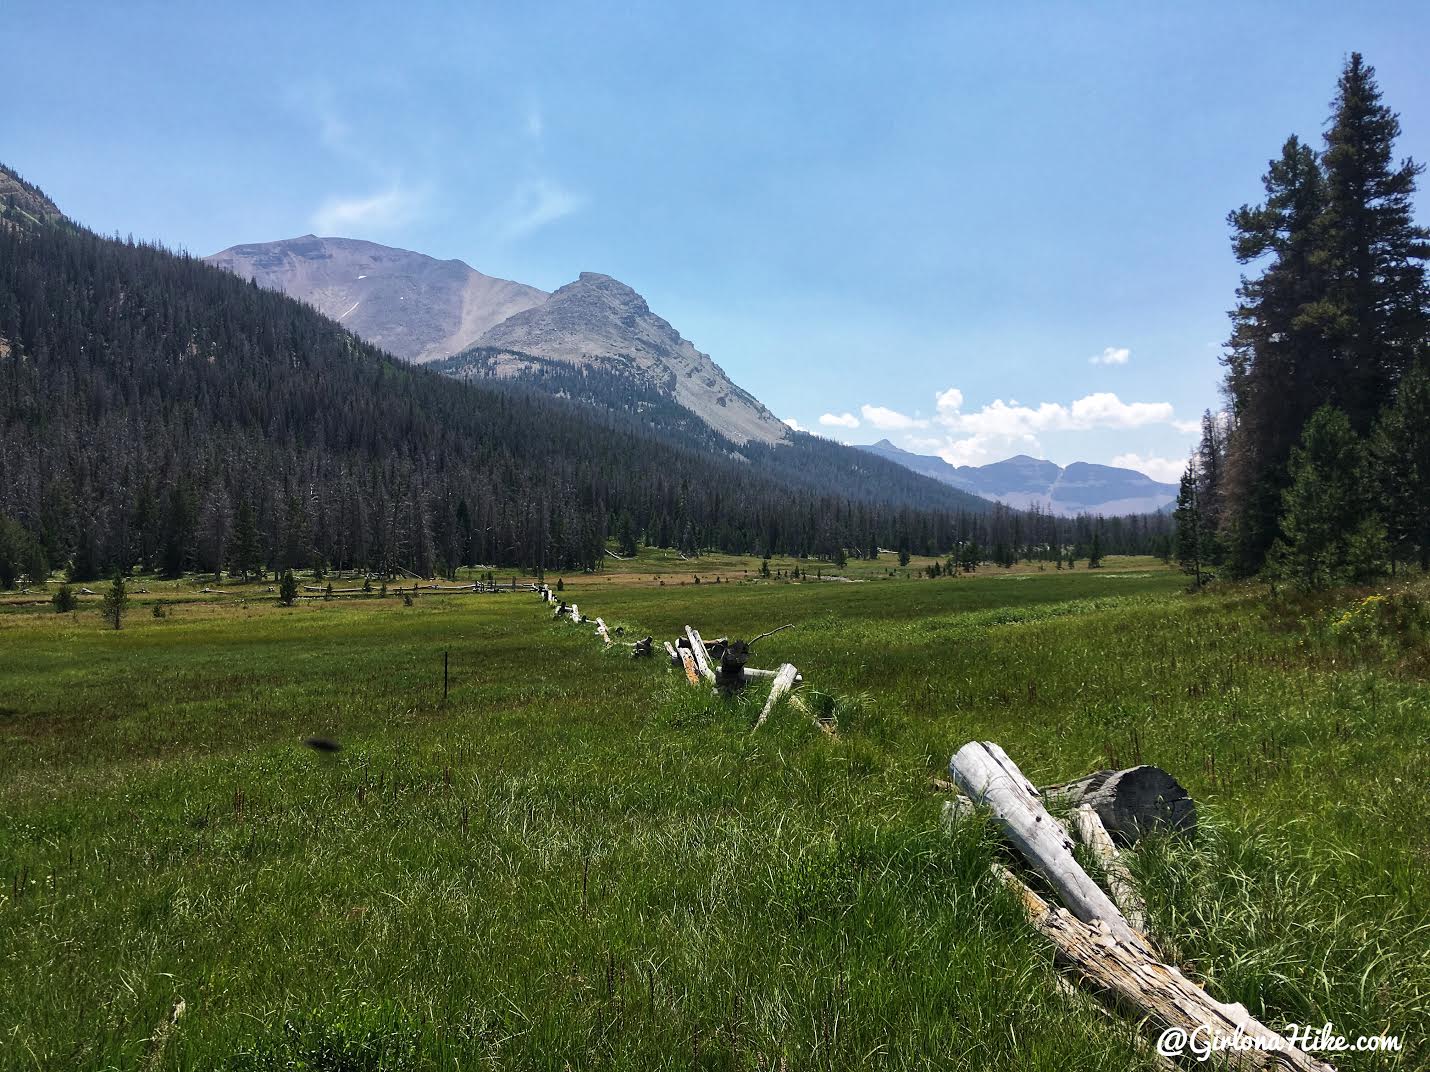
(576, 861)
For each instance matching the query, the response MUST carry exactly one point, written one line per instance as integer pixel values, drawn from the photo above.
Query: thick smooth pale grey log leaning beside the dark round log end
(986, 773)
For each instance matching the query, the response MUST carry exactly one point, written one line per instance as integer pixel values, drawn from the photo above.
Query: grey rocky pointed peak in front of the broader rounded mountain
(598, 319)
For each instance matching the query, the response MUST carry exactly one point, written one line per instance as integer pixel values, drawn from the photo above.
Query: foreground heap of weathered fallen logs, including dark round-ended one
(1096, 935)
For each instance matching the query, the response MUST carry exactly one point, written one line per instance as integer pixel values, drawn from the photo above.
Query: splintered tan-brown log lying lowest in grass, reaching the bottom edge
(1159, 993)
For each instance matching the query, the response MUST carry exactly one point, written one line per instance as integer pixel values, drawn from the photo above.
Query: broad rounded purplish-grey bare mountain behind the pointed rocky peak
(413, 307)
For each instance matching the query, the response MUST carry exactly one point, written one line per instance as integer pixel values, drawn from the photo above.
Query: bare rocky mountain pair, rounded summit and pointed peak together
(424, 309)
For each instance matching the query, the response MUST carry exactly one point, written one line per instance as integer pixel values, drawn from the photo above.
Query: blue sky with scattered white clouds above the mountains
(973, 229)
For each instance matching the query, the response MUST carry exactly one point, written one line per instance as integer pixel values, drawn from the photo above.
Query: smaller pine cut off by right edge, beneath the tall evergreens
(1401, 454)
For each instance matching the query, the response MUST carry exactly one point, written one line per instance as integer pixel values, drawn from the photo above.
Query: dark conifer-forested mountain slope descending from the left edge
(162, 414)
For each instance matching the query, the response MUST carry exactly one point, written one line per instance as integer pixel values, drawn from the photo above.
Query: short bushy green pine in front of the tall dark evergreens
(1331, 534)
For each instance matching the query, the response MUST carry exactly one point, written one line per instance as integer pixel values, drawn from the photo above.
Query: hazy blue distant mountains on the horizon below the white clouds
(1026, 482)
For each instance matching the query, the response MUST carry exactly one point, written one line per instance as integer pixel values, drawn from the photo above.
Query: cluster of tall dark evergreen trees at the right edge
(1319, 470)
